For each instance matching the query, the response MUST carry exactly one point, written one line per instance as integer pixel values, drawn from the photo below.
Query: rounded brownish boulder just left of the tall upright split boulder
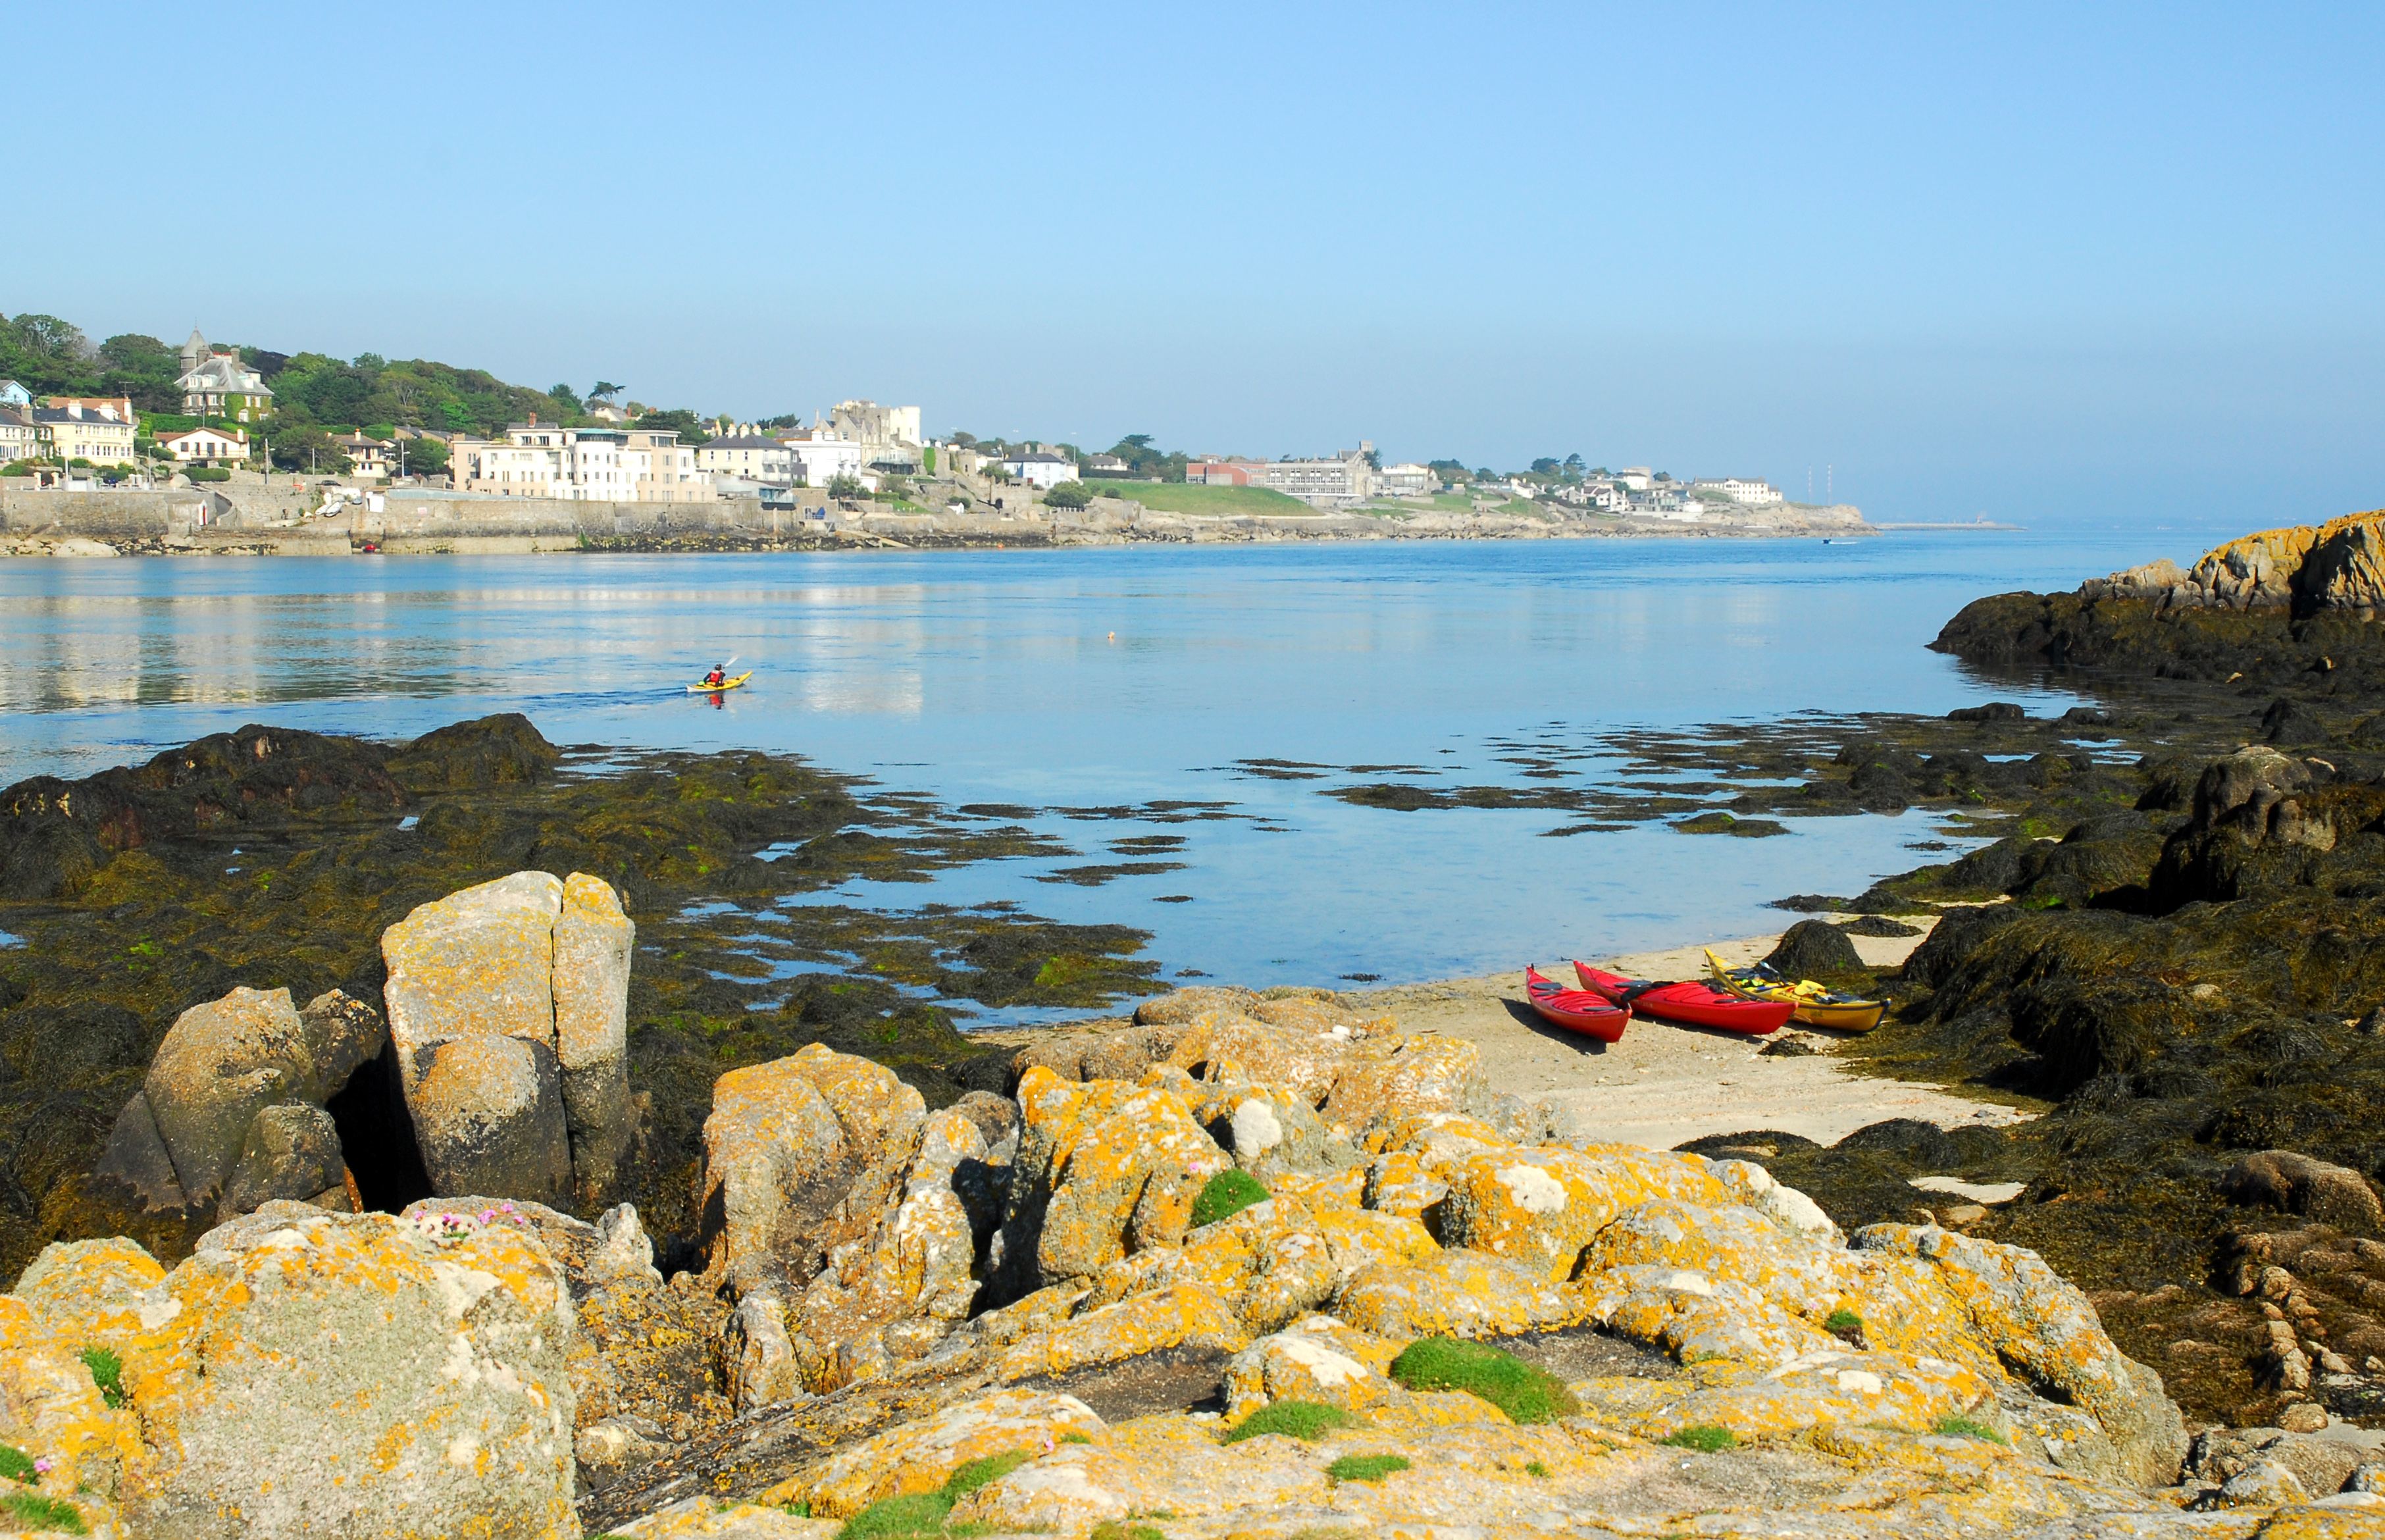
(230, 1114)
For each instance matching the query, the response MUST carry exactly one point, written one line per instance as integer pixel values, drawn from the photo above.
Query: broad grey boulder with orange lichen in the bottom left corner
(345, 1374)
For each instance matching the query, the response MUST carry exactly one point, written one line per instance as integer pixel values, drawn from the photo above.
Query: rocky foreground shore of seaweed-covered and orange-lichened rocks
(602, 1248)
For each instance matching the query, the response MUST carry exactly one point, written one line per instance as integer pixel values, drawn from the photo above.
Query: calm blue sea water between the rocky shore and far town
(1110, 678)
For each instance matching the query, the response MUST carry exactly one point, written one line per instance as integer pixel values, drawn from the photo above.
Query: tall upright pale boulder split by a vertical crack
(509, 1014)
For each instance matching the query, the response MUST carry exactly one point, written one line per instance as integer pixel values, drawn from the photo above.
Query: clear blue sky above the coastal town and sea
(2064, 263)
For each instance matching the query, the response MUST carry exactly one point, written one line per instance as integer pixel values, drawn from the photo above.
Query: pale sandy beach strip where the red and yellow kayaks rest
(1666, 1086)
